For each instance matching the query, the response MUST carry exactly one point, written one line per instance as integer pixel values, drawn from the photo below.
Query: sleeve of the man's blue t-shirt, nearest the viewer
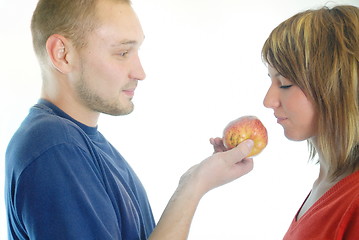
(61, 195)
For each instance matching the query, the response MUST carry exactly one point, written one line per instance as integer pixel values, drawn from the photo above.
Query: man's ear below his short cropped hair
(57, 48)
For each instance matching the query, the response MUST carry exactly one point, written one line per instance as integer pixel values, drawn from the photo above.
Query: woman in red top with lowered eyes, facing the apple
(312, 61)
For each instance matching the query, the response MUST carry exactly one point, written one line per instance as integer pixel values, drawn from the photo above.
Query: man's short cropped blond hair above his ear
(73, 19)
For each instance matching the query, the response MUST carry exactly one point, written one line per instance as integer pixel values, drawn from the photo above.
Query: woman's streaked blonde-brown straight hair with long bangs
(318, 50)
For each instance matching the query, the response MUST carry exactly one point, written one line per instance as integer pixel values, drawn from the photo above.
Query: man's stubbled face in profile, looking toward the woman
(109, 66)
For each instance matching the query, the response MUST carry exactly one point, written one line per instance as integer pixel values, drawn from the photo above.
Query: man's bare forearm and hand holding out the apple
(217, 170)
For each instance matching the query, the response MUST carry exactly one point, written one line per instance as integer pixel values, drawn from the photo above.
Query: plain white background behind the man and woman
(204, 69)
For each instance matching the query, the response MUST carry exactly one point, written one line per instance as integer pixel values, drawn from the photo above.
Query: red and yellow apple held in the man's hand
(246, 127)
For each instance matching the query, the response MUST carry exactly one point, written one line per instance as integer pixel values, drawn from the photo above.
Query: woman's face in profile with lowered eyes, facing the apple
(293, 110)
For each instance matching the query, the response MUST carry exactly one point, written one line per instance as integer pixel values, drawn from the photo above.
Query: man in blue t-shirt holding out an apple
(64, 180)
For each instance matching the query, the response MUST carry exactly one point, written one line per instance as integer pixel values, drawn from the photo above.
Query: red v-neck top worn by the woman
(334, 216)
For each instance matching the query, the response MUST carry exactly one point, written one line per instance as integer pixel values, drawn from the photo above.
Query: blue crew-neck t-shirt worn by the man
(64, 180)
